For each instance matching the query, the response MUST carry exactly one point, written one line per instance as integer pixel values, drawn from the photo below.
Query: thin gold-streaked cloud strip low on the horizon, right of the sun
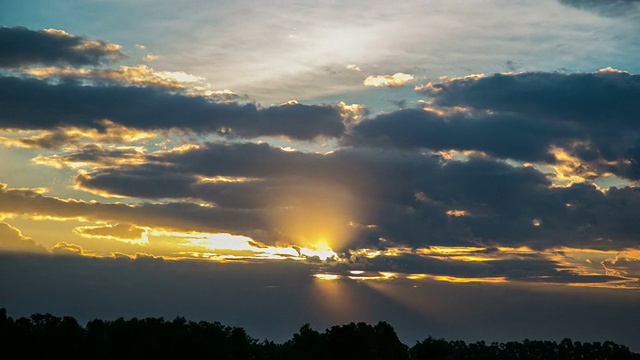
(460, 264)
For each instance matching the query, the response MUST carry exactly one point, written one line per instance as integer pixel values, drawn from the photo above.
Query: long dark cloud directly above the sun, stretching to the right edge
(407, 195)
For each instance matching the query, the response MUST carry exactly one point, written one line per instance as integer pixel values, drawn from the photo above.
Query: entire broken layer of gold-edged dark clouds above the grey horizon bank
(505, 170)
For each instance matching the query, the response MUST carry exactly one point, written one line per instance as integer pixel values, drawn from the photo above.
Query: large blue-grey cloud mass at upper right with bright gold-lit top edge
(591, 116)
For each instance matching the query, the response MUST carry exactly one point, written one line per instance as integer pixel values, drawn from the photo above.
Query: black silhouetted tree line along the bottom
(43, 336)
